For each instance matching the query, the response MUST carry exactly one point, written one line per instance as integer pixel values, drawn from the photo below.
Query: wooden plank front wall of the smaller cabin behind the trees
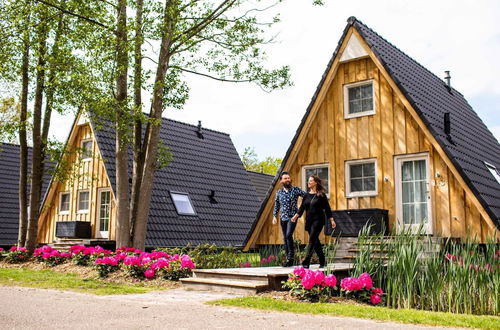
(89, 175)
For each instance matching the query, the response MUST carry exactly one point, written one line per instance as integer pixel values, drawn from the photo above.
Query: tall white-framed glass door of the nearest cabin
(413, 197)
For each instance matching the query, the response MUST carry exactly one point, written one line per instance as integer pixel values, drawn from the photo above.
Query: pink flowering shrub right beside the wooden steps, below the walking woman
(310, 285)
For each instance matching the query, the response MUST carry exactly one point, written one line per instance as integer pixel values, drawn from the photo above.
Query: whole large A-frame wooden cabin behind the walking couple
(384, 132)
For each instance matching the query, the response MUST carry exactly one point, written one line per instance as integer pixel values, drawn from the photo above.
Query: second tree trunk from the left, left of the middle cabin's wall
(36, 158)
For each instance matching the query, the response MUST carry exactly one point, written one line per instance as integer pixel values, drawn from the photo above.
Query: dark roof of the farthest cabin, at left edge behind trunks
(9, 191)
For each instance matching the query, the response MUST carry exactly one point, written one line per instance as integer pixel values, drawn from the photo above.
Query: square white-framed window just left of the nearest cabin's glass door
(361, 178)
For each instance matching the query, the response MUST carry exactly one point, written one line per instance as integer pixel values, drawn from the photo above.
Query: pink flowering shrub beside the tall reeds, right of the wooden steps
(361, 288)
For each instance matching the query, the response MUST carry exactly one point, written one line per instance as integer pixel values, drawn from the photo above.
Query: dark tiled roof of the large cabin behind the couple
(471, 142)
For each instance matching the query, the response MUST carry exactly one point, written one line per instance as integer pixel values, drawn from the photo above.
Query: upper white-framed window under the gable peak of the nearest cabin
(358, 99)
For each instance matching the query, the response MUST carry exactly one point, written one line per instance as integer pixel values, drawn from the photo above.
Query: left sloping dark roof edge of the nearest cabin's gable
(350, 21)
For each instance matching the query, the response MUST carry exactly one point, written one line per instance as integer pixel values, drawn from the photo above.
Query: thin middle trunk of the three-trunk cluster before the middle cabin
(138, 155)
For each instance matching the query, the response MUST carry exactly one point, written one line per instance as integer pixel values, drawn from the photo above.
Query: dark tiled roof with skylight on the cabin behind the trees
(198, 167)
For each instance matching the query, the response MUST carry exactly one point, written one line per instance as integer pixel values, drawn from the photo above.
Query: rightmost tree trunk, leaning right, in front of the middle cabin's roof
(153, 131)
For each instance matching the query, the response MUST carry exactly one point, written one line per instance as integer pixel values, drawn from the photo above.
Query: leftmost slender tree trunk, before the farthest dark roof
(23, 144)
